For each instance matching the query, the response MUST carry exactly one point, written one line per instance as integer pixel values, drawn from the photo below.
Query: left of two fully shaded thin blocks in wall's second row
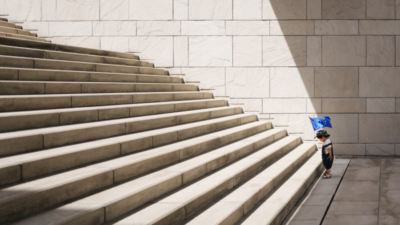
(336, 27)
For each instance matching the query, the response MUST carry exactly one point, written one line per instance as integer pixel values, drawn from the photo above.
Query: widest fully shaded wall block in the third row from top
(343, 51)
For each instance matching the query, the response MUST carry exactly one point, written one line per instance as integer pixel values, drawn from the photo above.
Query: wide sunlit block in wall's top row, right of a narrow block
(210, 9)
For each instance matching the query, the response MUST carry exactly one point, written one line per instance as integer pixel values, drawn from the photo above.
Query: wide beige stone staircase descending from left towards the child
(99, 137)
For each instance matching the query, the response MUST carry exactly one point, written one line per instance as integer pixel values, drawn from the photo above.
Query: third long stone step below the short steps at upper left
(50, 64)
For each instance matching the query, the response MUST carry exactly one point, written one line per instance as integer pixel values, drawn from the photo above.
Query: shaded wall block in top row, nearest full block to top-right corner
(381, 9)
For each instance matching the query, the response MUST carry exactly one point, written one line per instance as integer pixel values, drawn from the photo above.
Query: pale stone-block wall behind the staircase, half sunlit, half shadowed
(287, 59)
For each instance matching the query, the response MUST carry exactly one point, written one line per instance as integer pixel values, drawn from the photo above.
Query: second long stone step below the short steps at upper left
(66, 56)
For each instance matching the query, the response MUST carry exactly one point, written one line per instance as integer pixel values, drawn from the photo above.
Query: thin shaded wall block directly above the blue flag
(344, 105)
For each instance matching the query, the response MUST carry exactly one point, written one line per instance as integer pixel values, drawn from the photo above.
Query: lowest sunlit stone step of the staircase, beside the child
(284, 199)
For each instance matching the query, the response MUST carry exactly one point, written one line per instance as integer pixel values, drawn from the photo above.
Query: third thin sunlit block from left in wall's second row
(114, 28)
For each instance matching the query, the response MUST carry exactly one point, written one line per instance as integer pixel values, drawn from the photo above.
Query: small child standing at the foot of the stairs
(327, 152)
